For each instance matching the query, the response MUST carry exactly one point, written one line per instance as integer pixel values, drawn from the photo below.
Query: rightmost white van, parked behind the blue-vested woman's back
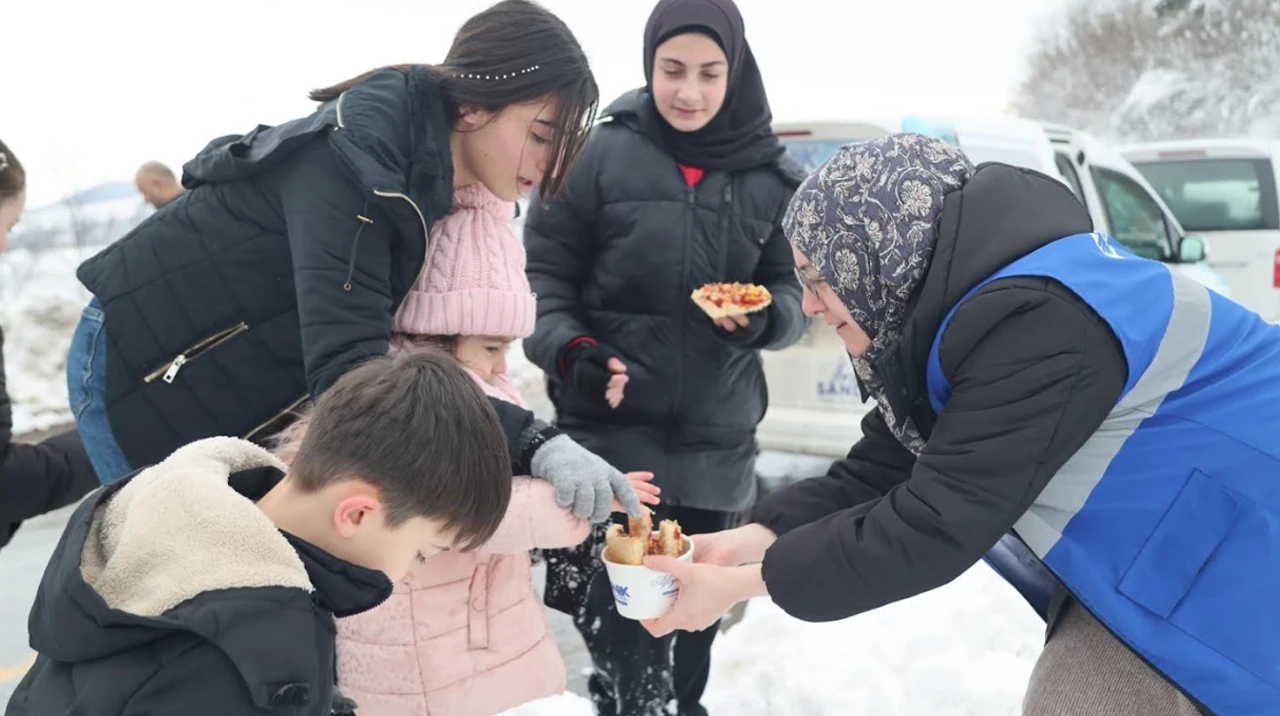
(1226, 190)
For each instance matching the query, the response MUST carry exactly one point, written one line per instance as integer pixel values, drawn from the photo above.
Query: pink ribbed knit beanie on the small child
(474, 282)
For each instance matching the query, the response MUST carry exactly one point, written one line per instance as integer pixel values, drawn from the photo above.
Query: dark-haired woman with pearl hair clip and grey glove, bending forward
(282, 266)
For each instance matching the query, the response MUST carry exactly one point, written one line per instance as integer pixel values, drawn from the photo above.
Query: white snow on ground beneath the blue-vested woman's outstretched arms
(964, 650)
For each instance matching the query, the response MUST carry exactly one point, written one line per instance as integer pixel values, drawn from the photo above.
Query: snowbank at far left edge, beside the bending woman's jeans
(40, 305)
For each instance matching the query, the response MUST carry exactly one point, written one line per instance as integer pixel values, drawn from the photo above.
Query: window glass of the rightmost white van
(1218, 195)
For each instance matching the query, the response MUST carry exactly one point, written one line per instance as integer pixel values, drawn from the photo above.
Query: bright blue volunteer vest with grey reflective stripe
(1167, 523)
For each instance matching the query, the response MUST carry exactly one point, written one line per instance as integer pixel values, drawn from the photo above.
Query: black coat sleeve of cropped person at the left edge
(38, 478)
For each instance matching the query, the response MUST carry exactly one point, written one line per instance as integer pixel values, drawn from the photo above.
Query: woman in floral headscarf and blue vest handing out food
(1103, 422)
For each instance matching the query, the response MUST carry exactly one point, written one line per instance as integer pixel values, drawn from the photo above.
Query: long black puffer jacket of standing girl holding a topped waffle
(619, 261)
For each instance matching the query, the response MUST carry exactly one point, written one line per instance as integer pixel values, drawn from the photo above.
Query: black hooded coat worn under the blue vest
(1035, 372)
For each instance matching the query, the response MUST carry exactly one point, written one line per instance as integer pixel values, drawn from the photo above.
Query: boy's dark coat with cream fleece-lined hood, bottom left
(253, 633)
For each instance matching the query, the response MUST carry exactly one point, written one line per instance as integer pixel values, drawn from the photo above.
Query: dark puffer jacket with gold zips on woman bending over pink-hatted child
(278, 272)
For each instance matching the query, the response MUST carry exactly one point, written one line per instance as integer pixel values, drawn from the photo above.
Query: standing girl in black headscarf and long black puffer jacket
(683, 185)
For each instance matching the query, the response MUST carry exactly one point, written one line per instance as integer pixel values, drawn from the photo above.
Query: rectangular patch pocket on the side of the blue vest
(1182, 544)
